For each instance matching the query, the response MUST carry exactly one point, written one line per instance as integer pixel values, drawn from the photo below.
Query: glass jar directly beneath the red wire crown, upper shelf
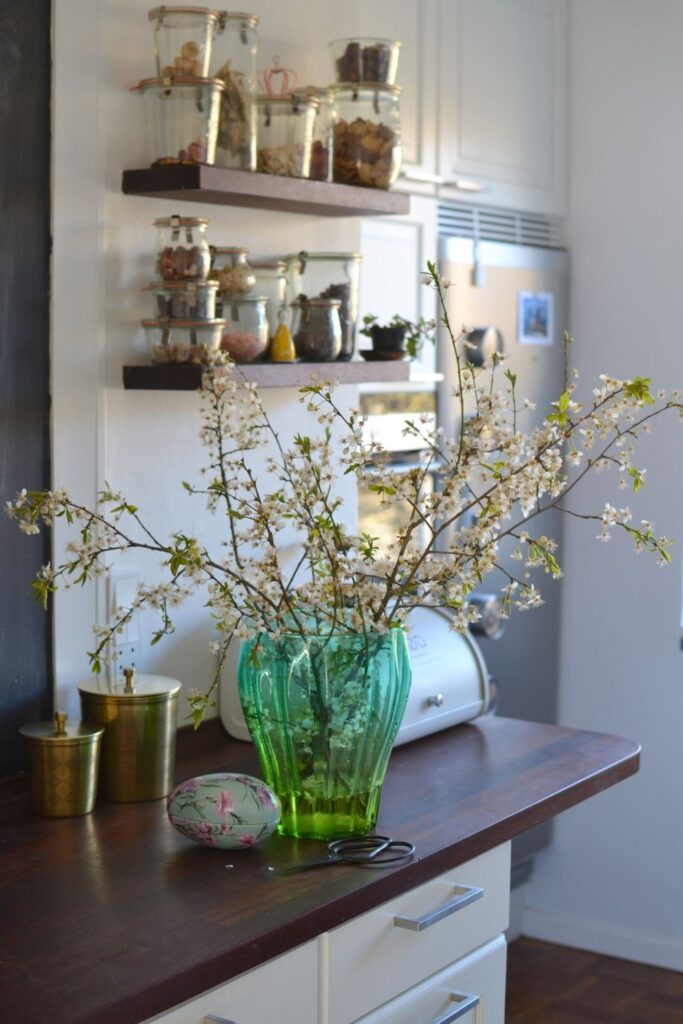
(285, 135)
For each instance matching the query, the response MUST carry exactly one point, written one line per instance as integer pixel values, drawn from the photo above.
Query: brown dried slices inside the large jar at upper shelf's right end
(364, 153)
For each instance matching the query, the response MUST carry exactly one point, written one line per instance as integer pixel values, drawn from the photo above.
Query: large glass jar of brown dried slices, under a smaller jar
(367, 136)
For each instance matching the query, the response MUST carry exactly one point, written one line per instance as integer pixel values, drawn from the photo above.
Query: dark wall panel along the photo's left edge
(25, 281)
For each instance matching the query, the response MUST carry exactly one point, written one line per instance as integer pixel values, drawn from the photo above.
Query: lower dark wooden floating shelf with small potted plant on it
(186, 377)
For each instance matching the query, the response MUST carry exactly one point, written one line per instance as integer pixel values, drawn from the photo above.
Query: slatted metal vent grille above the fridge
(490, 225)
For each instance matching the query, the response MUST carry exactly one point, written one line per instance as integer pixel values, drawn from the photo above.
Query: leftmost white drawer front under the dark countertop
(260, 996)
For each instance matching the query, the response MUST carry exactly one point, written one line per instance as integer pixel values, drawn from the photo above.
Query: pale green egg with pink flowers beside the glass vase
(225, 810)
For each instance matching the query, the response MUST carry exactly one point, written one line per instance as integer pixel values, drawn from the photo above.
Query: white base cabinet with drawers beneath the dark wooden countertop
(398, 964)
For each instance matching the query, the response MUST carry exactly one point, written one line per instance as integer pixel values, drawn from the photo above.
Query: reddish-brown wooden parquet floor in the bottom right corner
(549, 985)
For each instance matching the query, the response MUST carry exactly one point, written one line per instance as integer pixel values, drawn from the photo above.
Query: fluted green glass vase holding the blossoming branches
(324, 712)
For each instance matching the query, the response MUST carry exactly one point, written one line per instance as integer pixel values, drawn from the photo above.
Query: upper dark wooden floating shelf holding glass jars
(200, 184)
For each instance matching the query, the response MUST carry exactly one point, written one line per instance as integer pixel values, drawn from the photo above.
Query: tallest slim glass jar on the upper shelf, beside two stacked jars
(235, 64)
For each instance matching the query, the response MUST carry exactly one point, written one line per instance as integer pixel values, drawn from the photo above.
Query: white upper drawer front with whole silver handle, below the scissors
(374, 958)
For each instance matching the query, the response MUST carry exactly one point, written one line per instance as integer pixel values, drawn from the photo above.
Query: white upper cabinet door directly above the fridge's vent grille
(503, 123)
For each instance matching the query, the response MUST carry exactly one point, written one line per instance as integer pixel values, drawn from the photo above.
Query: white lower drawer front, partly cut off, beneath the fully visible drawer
(472, 992)
